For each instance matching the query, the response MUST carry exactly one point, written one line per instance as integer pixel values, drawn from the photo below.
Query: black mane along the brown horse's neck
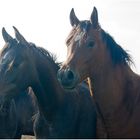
(118, 54)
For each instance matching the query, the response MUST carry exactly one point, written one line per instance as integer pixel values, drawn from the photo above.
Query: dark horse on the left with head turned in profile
(62, 114)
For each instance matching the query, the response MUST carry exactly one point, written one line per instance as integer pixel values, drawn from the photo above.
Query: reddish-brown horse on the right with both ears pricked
(93, 53)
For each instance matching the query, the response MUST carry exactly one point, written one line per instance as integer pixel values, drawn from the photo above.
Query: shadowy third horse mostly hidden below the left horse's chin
(16, 116)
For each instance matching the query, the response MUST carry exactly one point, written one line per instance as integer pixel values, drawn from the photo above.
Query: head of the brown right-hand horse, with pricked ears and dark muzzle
(83, 43)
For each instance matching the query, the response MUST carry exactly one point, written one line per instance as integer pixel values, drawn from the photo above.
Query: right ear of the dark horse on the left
(19, 37)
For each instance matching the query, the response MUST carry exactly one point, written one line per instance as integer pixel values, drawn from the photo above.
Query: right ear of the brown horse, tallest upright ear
(94, 18)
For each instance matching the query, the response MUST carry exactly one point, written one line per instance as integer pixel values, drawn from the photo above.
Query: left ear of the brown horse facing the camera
(73, 19)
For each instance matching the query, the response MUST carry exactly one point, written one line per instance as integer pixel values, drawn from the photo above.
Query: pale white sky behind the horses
(46, 22)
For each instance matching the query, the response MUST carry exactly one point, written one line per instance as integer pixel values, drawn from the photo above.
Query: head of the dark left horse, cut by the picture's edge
(15, 72)
